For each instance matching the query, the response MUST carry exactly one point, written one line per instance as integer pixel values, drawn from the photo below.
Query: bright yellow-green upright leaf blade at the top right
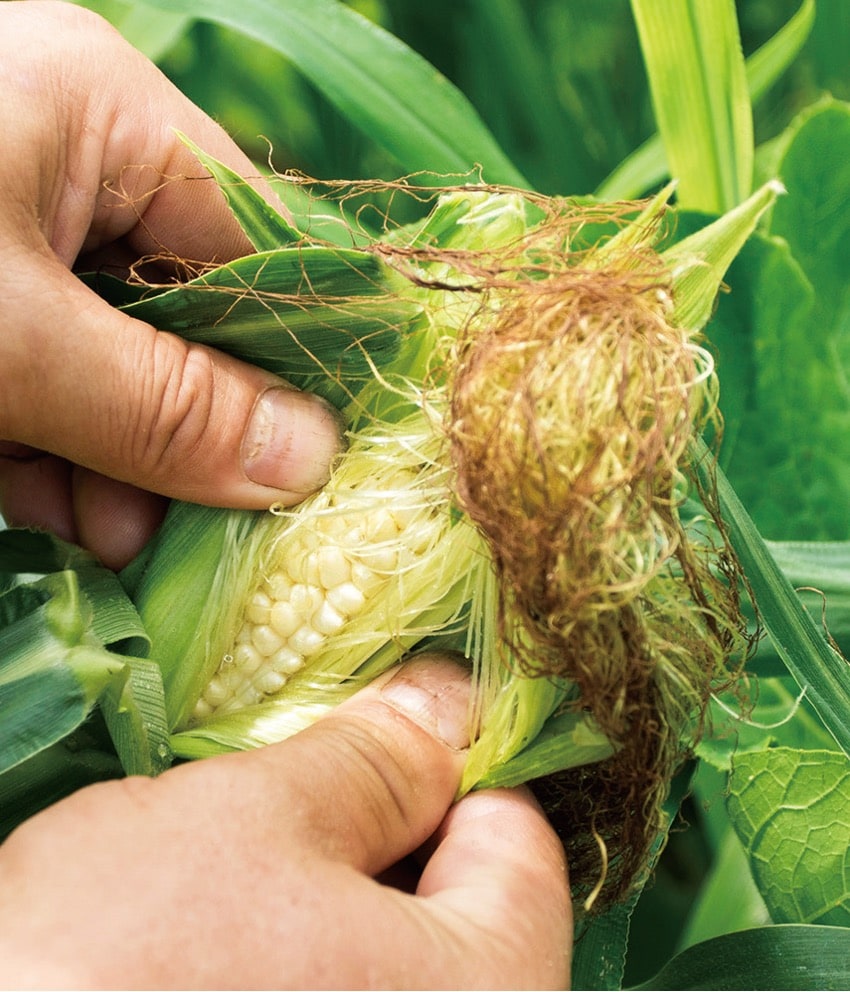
(698, 83)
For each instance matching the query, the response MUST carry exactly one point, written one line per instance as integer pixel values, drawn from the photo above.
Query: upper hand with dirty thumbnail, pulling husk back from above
(99, 412)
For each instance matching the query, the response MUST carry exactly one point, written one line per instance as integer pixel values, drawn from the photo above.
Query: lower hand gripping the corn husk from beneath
(258, 869)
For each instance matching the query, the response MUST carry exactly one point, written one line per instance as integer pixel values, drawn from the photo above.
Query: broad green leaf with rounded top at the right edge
(788, 315)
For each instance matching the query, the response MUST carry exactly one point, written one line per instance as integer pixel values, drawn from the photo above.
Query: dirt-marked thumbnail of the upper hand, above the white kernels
(291, 441)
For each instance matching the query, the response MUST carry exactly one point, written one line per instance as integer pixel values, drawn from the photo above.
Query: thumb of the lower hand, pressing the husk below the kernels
(375, 777)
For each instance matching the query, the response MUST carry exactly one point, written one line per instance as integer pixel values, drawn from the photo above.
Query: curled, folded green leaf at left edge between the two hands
(55, 666)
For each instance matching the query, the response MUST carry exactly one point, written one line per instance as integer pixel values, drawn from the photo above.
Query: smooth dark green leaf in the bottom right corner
(761, 958)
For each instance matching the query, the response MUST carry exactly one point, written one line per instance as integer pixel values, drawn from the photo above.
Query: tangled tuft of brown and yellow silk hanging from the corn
(574, 402)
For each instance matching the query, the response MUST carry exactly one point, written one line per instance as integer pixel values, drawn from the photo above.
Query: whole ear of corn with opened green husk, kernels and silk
(262, 622)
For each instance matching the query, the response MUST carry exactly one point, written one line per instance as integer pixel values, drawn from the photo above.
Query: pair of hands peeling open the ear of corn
(337, 857)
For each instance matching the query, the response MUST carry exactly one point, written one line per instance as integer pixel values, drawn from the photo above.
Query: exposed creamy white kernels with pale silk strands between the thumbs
(340, 578)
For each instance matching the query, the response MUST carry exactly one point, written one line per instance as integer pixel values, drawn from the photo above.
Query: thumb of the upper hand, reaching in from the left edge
(113, 394)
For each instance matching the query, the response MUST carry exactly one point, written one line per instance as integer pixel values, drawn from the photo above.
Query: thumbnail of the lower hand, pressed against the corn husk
(433, 691)
